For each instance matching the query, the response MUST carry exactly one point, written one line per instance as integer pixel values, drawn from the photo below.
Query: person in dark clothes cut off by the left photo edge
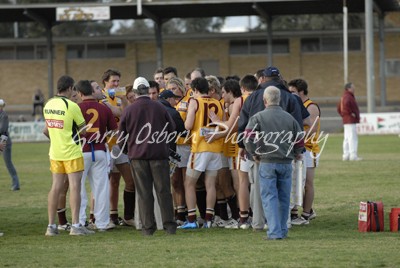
(5, 147)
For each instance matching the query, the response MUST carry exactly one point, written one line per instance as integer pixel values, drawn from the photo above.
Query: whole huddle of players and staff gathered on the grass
(203, 152)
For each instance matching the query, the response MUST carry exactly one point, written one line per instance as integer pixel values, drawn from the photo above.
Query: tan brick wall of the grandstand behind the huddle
(323, 71)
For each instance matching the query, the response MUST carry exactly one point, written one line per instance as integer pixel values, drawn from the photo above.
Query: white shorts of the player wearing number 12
(205, 161)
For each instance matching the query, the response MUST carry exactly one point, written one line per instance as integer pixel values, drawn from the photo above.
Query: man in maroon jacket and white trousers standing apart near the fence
(348, 110)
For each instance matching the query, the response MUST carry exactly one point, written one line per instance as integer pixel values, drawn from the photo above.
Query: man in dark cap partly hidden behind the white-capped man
(169, 100)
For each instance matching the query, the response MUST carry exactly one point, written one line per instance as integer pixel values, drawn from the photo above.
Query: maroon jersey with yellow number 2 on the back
(99, 119)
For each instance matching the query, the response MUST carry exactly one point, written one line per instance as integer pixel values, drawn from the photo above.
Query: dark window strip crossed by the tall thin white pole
(329, 44)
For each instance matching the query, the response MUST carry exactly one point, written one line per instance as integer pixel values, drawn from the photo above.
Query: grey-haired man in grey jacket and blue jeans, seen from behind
(272, 138)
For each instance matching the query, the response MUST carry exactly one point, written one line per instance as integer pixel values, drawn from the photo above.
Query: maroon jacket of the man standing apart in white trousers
(348, 108)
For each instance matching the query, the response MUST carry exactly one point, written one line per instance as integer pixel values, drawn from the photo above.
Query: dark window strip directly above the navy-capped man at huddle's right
(257, 46)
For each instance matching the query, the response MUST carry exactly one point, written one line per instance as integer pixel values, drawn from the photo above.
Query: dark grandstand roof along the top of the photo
(164, 10)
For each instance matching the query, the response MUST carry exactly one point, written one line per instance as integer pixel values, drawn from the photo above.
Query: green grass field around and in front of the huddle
(331, 240)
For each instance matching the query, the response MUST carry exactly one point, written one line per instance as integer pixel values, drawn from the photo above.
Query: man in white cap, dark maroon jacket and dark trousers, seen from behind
(145, 130)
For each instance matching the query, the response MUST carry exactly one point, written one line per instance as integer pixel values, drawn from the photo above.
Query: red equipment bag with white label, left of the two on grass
(370, 217)
